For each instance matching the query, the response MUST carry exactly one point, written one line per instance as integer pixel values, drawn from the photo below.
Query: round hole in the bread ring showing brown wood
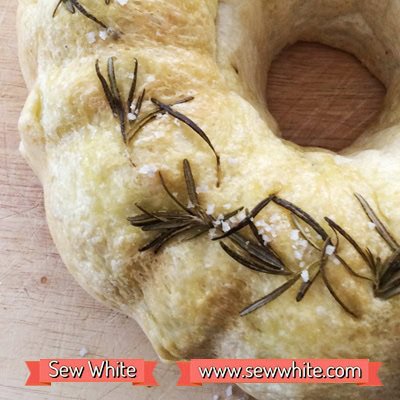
(322, 96)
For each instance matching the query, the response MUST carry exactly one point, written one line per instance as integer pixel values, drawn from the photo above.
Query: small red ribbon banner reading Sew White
(48, 371)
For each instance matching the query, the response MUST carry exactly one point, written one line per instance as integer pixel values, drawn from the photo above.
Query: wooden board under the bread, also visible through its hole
(43, 311)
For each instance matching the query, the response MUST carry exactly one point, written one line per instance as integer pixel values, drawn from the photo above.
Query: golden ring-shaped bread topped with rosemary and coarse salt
(314, 227)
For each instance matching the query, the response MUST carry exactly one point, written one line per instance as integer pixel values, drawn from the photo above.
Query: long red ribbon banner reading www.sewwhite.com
(358, 371)
